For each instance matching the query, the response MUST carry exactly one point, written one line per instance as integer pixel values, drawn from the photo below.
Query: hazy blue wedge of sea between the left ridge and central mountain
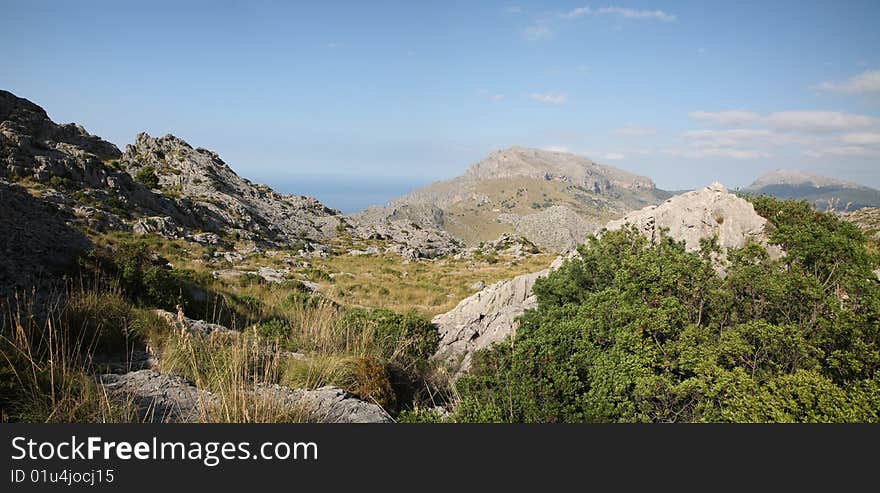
(346, 194)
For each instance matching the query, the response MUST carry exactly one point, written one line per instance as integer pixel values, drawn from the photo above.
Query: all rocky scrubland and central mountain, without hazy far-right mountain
(157, 285)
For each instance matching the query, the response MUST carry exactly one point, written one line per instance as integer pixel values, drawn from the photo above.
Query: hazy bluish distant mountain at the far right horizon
(823, 192)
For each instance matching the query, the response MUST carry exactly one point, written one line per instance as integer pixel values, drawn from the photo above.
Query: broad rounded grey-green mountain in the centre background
(552, 198)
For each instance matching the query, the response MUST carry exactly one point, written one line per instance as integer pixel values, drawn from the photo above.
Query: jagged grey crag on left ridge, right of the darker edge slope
(229, 202)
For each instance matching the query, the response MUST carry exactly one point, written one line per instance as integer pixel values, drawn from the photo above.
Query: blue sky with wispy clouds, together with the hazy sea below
(355, 102)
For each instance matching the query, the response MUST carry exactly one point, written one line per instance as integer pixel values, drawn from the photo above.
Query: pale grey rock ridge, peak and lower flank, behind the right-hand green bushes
(489, 316)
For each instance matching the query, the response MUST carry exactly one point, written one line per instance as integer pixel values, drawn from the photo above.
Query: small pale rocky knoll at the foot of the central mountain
(556, 229)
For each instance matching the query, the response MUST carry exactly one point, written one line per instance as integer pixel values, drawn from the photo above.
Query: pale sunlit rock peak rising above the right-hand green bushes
(693, 216)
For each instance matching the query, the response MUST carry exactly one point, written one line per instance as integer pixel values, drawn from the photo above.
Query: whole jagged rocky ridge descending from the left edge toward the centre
(186, 192)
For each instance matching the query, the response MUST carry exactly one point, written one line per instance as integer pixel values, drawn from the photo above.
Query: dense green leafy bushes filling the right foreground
(634, 331)
